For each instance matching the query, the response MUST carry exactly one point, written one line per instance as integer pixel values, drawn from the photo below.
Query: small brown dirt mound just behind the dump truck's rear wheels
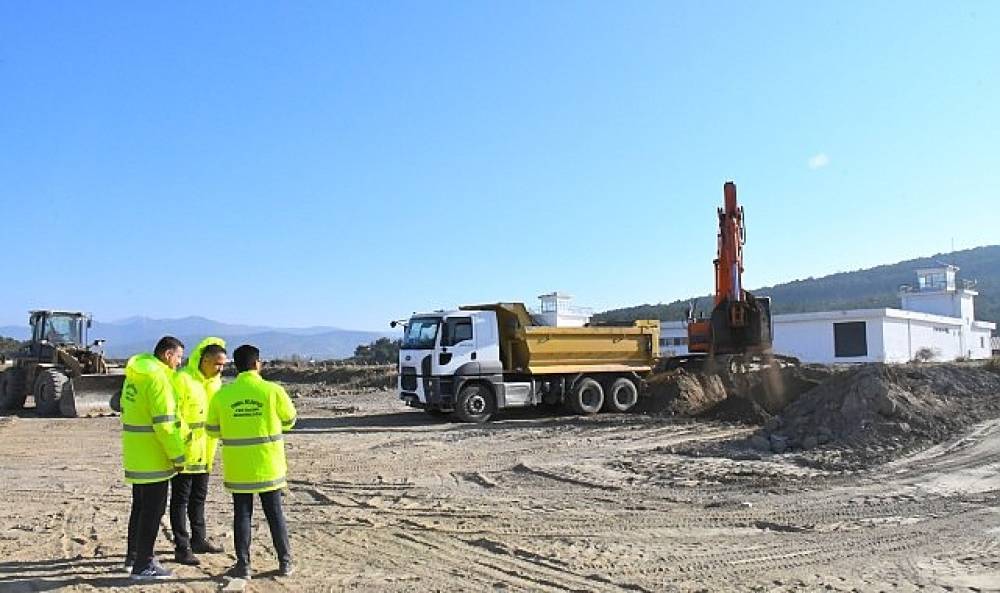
(681, 393)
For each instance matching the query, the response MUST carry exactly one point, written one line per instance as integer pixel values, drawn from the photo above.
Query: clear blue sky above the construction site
(348, 163)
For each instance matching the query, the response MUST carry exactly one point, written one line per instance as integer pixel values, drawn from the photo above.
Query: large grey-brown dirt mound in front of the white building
(888, 408)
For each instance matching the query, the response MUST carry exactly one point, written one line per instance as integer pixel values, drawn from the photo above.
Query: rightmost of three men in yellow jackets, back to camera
(250, 415)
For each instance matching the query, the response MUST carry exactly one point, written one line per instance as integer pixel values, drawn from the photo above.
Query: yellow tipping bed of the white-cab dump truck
(541, 349)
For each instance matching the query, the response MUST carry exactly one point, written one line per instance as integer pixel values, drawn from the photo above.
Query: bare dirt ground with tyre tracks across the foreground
(383, 498)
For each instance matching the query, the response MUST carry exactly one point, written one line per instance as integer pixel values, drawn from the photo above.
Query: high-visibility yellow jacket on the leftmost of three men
(152, 440)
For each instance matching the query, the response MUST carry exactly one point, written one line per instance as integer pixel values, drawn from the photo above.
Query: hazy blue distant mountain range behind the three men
(139, 334)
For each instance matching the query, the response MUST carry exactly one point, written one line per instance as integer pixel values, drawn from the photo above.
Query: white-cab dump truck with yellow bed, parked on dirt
(478, 359)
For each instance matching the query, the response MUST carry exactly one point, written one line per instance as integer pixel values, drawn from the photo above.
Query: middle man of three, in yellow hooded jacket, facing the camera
(194, 387)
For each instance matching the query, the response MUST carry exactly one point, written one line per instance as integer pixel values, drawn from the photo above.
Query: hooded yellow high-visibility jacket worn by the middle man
(194, 392)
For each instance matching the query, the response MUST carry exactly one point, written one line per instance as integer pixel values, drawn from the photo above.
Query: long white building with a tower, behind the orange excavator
(936, 320)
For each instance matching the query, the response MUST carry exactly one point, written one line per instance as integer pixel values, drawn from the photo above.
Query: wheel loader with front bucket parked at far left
(64, 373)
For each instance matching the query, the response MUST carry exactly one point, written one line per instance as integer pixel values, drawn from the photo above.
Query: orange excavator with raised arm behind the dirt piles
(740, 323)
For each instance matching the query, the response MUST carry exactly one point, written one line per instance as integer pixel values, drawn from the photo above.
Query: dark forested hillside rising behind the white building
(862, 289)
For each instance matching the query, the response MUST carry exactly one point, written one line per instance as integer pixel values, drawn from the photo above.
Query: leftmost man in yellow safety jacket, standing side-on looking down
(152, 450)
